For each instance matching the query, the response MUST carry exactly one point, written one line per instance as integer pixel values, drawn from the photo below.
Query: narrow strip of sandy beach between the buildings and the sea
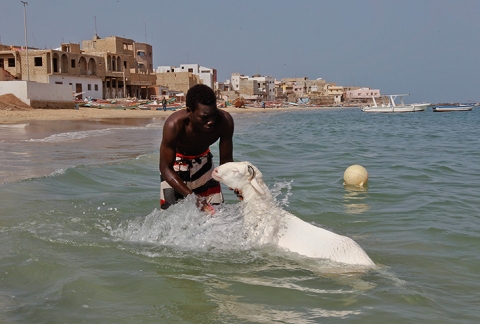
(17, 116)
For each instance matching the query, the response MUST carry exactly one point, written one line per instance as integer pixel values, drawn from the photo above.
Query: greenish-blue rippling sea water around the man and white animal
(82, 239)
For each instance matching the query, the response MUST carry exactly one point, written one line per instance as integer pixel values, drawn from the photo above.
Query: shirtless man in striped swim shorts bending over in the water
(186, 163)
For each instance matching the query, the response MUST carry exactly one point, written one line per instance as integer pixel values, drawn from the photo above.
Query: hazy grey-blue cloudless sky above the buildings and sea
(428, 48)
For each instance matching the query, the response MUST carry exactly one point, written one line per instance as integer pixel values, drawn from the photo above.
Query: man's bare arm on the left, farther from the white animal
(167, 158)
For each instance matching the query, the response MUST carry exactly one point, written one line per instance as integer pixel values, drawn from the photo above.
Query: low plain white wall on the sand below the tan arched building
(39, 95)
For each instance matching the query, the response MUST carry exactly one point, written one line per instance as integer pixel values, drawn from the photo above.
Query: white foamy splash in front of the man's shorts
(186, 227)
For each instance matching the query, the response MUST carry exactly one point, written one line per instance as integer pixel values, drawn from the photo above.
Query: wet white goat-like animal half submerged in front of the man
(269, 224)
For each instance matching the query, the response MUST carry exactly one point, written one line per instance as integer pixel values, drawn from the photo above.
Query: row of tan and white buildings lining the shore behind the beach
(117, 67)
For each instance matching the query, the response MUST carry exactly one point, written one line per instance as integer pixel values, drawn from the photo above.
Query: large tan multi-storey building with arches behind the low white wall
(103, 68)
